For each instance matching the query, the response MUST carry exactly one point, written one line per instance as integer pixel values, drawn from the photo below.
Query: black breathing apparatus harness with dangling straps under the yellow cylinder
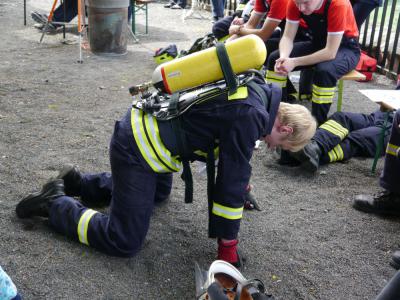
(167, 107)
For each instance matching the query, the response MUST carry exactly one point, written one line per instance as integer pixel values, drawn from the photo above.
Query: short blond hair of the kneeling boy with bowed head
(301, 121)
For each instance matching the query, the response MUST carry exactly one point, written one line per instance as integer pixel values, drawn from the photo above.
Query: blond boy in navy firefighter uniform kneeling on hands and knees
(144, 154)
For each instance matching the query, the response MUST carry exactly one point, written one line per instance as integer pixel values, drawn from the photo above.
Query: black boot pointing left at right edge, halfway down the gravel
(384, 203)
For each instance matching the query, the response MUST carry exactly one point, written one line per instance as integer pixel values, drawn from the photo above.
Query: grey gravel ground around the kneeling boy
(307, 243)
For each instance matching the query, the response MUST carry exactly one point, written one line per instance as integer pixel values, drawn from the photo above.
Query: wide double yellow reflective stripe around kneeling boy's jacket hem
(147, 137)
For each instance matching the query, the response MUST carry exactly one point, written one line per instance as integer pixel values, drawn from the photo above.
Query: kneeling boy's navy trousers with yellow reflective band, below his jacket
(133, 190)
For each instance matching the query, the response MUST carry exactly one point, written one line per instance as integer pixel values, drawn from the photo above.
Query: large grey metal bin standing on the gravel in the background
(108, 26)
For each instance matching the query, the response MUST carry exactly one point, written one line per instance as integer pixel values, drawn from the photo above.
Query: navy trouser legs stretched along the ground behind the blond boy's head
(346, 135)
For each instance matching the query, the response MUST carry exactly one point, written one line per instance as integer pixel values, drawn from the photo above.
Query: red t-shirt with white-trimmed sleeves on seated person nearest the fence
(340, 17)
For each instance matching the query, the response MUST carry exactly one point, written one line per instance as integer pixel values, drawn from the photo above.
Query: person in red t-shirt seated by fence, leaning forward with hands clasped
(333, 50)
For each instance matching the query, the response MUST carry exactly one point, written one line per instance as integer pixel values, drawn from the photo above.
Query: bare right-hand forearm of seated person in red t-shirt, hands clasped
(325, 54)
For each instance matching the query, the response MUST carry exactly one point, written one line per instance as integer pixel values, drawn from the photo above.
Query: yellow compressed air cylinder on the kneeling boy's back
(202, 67)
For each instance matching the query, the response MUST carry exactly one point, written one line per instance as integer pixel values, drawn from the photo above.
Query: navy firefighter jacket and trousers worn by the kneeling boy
(143, 156)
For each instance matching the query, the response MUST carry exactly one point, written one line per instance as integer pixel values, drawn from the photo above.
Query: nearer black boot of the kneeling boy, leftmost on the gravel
(38, 204)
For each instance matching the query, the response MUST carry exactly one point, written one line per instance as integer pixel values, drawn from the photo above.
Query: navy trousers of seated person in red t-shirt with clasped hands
(325, 75)
